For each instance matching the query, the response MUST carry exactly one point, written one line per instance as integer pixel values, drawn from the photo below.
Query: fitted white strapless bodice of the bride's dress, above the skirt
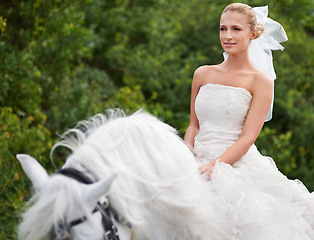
(221, 111)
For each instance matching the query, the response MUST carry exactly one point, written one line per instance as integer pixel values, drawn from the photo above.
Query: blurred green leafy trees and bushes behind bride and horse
(64, 60)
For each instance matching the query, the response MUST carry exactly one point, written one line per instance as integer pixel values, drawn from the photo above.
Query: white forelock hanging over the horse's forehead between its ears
(51, 206)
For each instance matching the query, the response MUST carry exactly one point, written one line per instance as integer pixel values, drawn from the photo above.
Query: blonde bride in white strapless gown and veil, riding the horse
(229, 104)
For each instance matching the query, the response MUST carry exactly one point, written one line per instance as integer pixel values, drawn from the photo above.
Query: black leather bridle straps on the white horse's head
(63, 231)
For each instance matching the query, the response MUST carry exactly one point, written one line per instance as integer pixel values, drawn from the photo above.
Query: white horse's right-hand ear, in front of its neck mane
(96, 190)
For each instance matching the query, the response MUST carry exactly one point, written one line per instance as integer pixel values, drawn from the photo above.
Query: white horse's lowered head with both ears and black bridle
(64, 207)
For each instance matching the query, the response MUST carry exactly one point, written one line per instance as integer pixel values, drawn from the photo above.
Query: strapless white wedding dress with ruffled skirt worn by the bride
(258, 201)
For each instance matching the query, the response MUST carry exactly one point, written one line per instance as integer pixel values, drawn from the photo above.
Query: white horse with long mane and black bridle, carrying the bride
(139, 164)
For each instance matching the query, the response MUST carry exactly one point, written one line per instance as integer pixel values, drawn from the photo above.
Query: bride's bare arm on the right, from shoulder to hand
(262, 88)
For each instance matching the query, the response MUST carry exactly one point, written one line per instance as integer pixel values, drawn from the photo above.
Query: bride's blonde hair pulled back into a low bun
(249, 12)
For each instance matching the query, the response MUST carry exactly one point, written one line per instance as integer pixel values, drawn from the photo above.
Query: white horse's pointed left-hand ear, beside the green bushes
(35, 172)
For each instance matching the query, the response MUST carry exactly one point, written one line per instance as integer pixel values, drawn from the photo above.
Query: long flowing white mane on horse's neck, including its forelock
(158, 187)
